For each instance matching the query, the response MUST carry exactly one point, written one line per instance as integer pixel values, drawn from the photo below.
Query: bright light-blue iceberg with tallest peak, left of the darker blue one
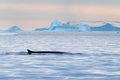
(57, 26)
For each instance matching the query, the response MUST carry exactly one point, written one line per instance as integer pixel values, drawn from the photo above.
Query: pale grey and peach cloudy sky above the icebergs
(31, 14)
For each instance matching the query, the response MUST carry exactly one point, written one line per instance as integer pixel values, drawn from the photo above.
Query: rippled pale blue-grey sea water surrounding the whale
(94, 55)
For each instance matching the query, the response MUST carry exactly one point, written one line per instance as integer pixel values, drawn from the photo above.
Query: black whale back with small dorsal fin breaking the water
(45, 52)
